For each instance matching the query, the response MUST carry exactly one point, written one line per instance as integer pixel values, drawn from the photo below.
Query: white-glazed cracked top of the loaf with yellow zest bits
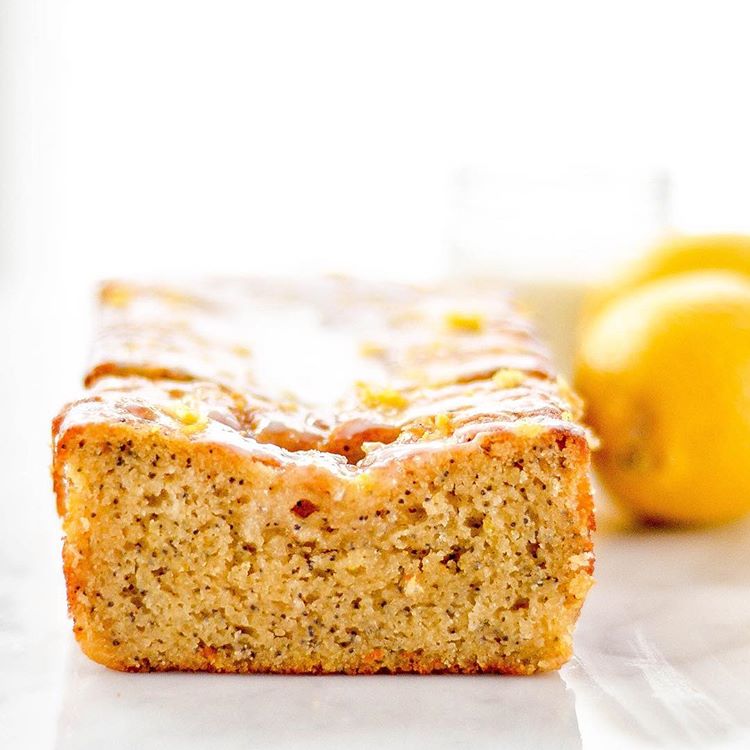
(338, 372)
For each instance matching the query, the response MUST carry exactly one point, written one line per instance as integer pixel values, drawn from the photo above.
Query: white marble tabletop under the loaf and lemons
(662, 648)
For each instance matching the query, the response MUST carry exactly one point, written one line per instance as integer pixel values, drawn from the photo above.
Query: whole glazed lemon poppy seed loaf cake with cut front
(339, 476)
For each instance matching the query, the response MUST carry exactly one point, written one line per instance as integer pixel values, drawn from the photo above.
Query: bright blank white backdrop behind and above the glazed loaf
(179, 137)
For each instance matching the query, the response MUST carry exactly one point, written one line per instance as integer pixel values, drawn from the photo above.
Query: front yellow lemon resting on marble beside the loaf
(665, 372)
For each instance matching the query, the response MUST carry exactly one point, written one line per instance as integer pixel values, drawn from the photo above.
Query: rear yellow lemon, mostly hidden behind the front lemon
(672, 256)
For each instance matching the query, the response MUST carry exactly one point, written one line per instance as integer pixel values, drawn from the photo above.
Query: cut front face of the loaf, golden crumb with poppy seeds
(184, 555)
